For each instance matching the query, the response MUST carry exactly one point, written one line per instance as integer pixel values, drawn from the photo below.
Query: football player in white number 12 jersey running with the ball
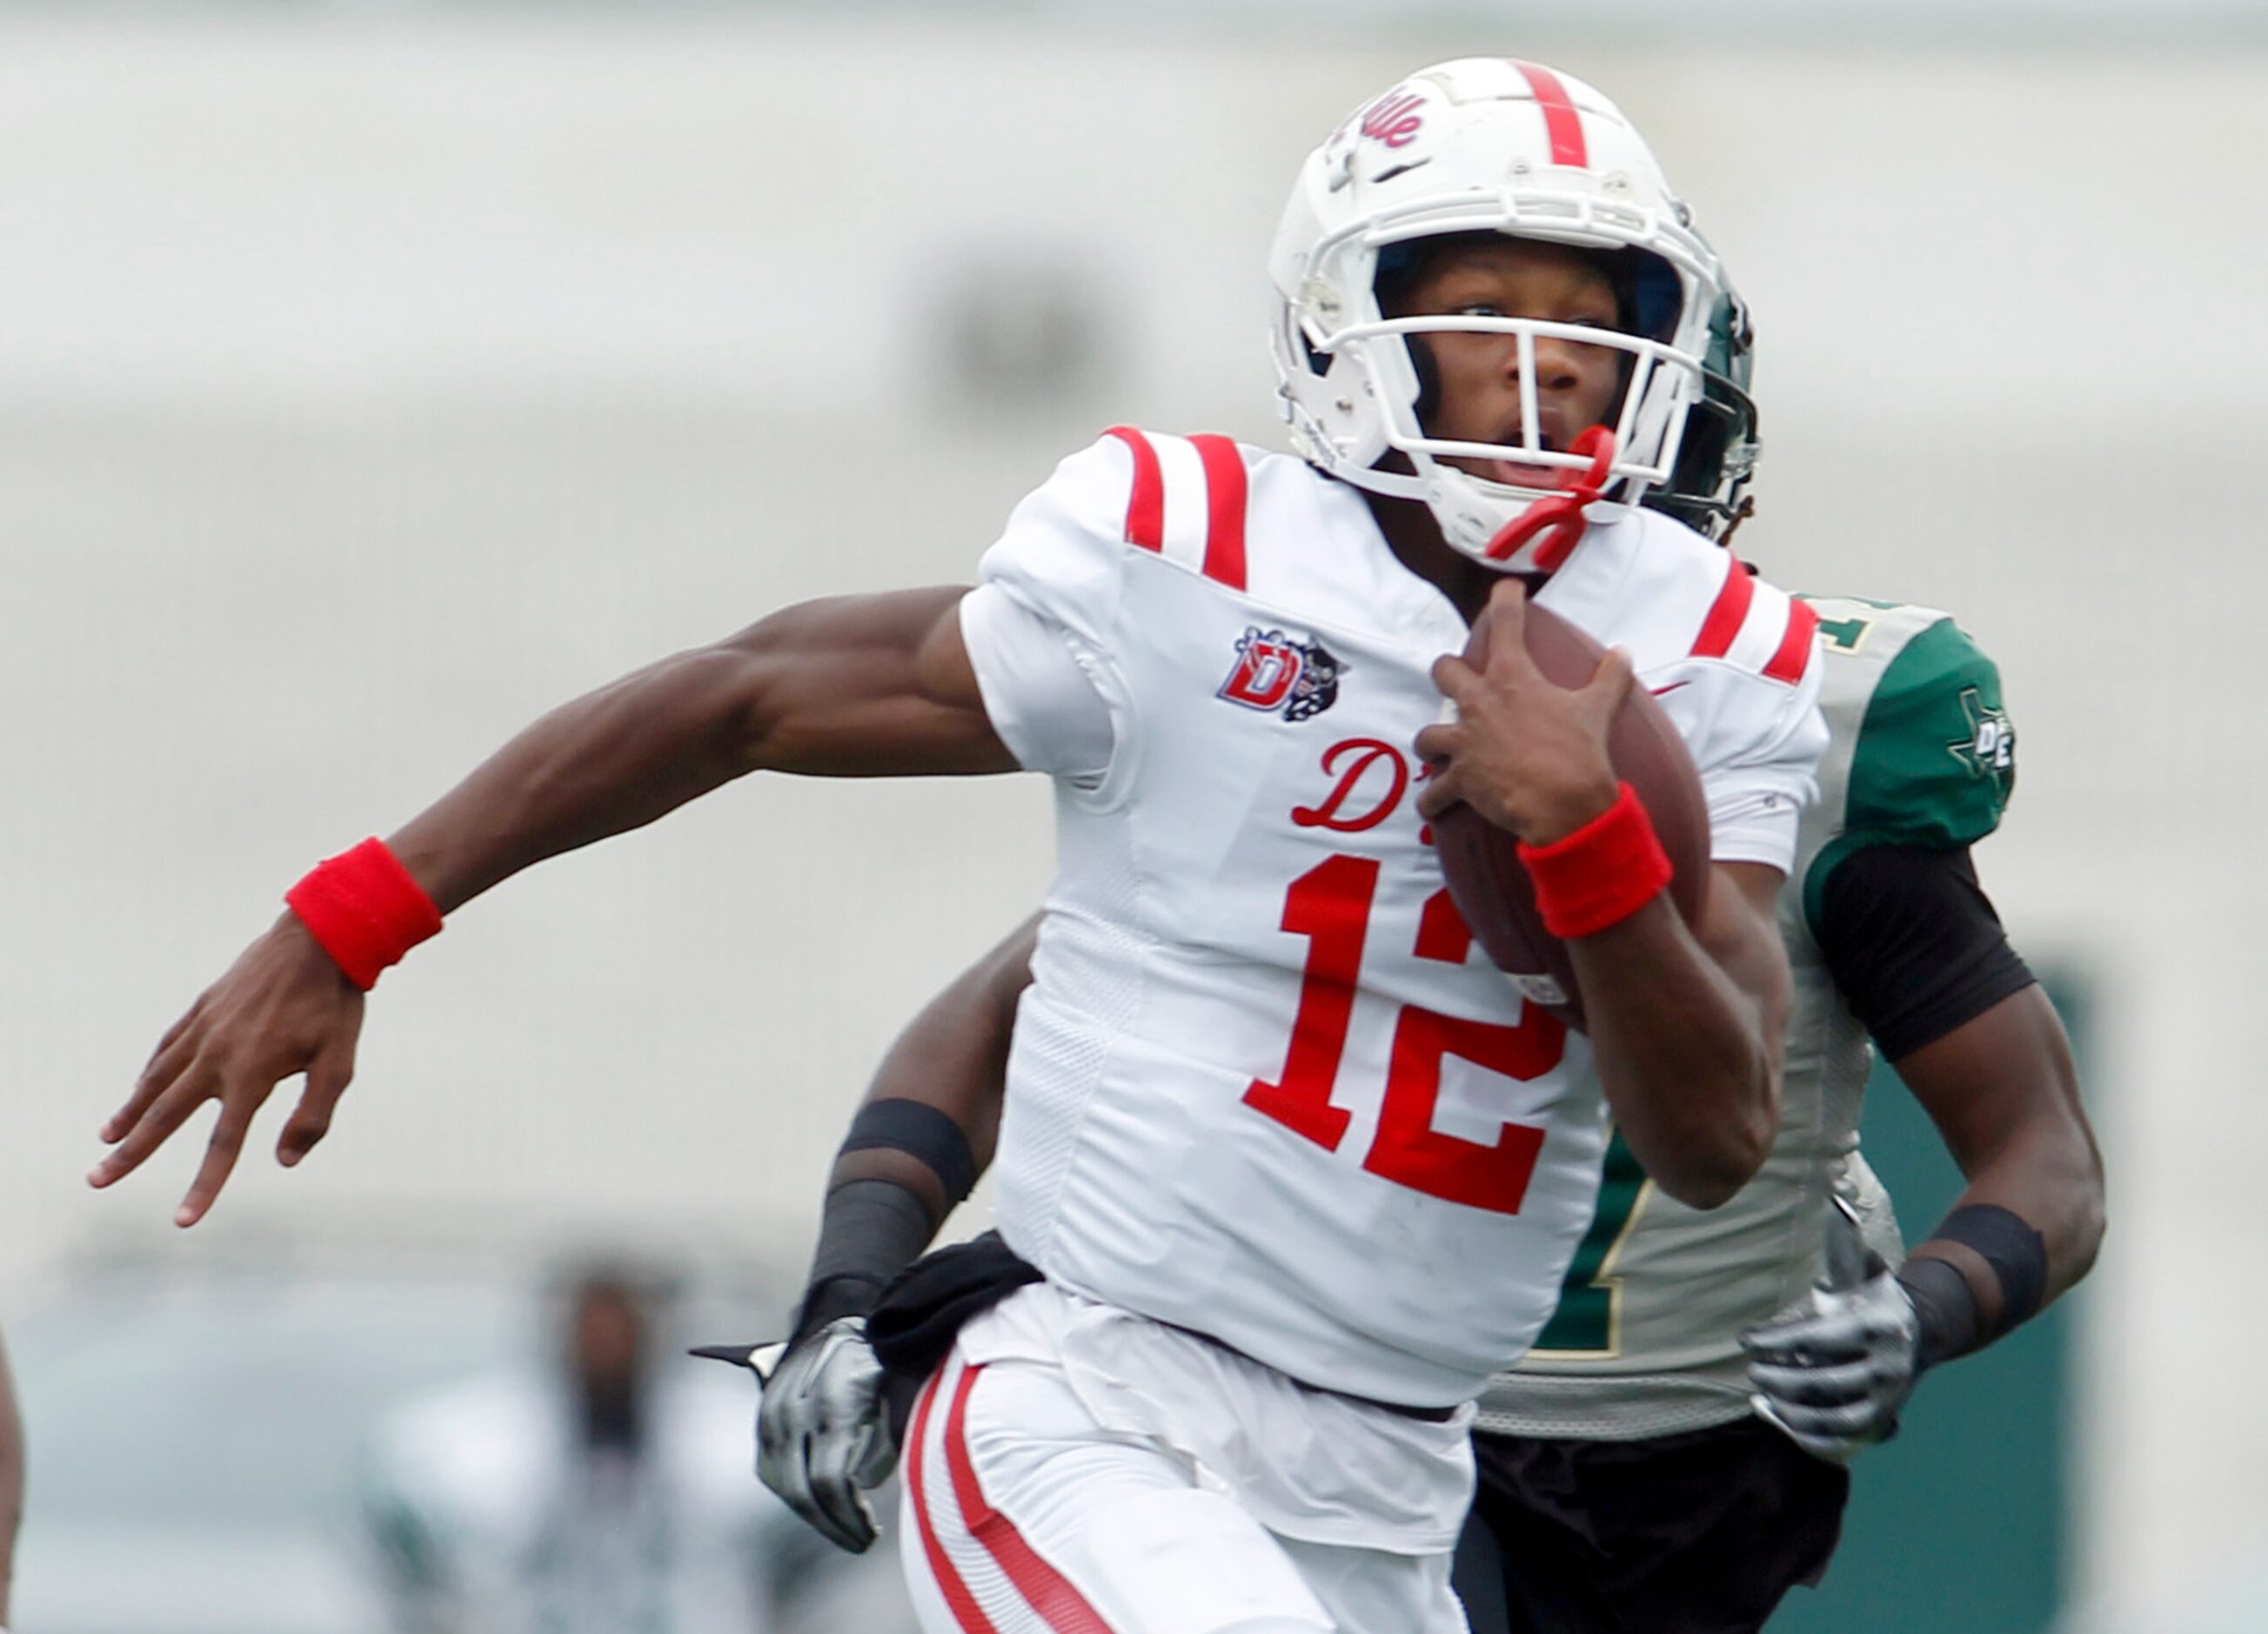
(1287, 1172)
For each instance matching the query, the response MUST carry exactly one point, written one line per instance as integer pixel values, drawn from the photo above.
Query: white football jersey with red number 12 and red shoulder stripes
(1264, 1086)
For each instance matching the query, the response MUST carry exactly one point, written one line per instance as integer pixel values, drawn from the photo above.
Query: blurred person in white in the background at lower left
(607, 1492)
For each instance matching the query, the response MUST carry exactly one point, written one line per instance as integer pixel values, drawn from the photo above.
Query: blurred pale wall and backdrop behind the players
(375, 376)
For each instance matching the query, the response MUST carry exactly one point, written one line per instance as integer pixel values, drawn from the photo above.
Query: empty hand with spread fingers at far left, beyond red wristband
(280, 1011)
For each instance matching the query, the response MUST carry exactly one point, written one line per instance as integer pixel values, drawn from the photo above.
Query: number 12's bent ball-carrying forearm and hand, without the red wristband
(1686, 1025)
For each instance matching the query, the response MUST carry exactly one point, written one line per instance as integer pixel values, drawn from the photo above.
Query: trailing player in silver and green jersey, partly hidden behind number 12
(1670, 1458)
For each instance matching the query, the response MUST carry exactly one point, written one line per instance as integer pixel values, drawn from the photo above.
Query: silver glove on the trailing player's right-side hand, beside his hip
(1836, 1379)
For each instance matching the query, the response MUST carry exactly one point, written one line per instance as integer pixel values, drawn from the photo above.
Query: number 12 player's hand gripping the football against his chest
(1523, 752)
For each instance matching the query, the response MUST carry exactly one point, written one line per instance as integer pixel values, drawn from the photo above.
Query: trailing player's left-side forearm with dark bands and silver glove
(915, 1149)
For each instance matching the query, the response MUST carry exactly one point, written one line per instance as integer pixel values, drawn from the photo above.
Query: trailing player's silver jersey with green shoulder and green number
(1648, 1333)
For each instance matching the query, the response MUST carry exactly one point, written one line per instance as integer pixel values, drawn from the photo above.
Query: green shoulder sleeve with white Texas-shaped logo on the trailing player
(1936, 755)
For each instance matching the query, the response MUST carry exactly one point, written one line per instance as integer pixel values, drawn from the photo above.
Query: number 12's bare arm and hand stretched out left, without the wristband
(856, 687)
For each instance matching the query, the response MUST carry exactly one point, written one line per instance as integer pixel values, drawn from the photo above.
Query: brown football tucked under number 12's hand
(1487, 877)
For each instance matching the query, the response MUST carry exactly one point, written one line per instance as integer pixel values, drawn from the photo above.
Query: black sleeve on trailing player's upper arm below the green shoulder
(1915, 945)
